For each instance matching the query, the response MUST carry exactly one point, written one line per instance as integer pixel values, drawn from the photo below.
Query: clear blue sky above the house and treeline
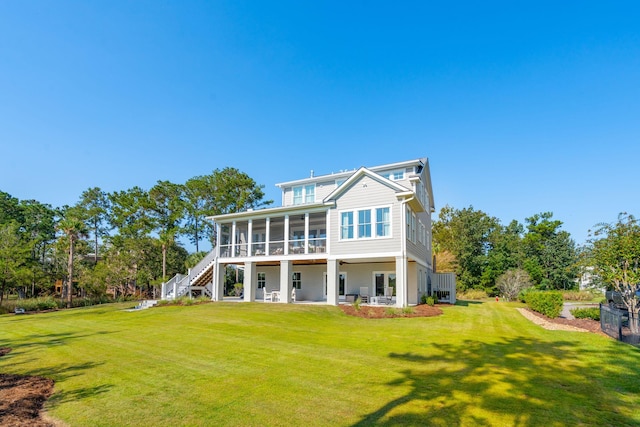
(521, 107)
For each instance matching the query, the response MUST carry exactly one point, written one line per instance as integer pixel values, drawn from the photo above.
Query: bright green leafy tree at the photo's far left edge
(14, 253)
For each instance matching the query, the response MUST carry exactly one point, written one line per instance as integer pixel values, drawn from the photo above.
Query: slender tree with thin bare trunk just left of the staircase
(167, 209)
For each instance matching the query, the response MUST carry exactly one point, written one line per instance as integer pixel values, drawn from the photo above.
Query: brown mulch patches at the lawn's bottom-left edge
(22, 398)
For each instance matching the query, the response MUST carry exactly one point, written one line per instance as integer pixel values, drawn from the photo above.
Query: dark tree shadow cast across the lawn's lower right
(519, 381)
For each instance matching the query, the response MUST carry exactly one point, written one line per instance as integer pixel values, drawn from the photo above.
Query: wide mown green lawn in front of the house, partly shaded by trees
(275, 364)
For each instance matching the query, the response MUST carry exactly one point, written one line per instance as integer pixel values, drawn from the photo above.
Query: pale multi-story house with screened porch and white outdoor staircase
(360, 232)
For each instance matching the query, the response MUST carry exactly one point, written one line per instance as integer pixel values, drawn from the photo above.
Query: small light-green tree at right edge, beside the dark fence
(615, 255)
